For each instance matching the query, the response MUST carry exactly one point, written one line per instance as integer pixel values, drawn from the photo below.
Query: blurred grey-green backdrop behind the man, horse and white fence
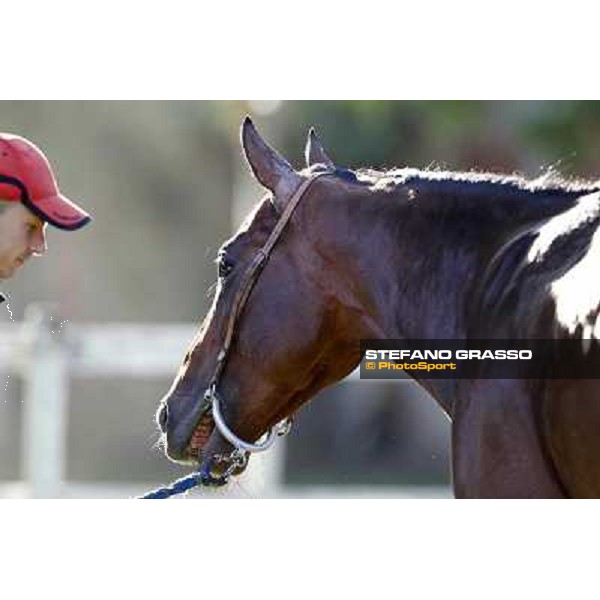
(166, 184)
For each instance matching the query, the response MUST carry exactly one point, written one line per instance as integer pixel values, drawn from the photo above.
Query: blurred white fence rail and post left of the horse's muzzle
(46, 355)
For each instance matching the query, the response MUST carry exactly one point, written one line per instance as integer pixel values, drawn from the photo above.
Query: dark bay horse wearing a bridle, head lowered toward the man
(331, 256)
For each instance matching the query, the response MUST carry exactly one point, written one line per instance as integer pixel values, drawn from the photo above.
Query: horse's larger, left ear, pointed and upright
(268, 166)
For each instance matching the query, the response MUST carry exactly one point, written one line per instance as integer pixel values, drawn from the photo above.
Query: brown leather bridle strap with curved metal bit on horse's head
(211, 397)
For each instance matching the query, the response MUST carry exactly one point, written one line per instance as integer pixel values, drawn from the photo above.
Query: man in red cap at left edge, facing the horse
(29, 200)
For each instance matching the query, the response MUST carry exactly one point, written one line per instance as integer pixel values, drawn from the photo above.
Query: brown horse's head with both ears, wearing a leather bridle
(283, 323)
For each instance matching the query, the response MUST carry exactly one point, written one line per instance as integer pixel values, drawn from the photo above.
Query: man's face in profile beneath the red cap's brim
(22, 235)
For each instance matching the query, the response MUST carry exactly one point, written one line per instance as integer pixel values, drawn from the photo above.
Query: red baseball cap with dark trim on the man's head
(26, 176)
